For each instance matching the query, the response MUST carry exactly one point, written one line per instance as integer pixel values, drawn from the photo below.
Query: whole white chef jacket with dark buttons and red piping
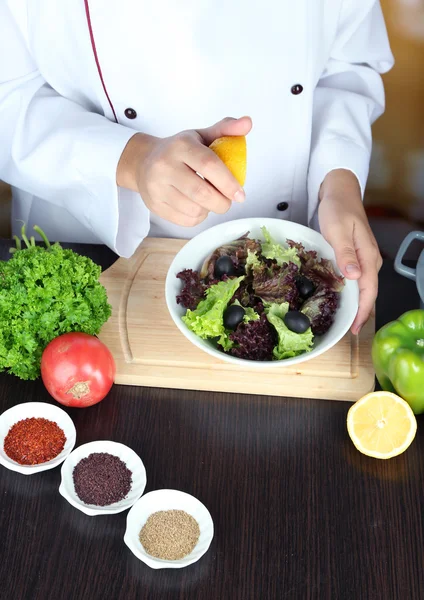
(79, 77)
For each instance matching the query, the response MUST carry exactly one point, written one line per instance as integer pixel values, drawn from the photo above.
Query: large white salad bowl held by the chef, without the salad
(197, 250)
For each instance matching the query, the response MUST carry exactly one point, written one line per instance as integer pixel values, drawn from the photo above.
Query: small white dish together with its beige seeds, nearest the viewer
(168, 529)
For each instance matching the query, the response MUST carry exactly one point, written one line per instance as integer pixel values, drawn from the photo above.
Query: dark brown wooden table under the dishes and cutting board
(299, 514)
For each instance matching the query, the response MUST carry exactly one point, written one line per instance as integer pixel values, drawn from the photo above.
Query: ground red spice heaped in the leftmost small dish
(34, 441)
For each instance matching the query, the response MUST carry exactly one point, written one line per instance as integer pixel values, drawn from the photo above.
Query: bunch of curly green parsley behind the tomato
(45, 292)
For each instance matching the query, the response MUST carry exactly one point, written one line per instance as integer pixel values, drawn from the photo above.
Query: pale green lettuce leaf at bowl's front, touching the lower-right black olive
(289, 343)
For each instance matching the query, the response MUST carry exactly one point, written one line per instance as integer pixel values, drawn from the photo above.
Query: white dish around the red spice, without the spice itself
(28, 410)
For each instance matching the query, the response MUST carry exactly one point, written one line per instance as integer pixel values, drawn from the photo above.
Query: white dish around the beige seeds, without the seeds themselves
(168, 500)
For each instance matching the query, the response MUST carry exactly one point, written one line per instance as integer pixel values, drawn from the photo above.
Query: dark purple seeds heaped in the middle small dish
(101, 479)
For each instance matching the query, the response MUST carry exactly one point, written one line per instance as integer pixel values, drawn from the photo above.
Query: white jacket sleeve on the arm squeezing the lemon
(59, 151)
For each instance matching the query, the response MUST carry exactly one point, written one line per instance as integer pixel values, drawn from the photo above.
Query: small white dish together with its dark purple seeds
(102, 477)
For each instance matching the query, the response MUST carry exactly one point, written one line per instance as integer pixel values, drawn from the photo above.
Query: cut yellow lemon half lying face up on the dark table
(381, 425)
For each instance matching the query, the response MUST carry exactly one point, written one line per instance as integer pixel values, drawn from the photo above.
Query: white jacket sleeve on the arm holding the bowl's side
(349, 96)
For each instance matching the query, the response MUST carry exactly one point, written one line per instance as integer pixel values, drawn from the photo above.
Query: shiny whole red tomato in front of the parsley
(77, 369)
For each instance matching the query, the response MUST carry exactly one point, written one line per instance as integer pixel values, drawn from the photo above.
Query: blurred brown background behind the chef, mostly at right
(395, 194)
